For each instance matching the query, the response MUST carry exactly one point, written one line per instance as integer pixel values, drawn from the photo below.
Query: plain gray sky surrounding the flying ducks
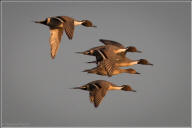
(36, 88)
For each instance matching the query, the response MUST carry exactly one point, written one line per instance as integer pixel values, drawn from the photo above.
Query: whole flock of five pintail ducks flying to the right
(110, 57)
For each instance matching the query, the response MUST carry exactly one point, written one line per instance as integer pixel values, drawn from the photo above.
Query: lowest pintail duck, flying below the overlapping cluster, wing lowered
(98, 89)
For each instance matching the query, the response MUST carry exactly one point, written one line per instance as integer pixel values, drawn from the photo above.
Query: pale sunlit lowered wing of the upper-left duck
(54, 40)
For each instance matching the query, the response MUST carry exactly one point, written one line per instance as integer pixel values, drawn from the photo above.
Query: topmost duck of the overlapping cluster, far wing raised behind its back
(115, 47)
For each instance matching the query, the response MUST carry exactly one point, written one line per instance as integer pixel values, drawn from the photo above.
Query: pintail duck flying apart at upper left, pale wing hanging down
(59, 23)
